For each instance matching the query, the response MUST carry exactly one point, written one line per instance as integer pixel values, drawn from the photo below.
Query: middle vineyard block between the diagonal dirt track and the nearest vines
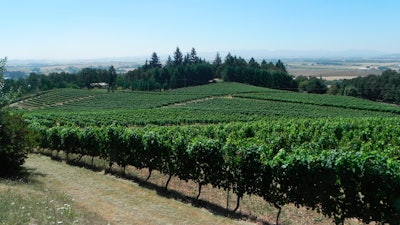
(203, 112)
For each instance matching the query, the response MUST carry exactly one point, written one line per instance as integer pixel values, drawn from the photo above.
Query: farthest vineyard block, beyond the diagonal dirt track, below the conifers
(76, 99)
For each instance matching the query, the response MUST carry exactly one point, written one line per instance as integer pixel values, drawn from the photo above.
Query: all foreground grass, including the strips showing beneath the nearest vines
(55, 192)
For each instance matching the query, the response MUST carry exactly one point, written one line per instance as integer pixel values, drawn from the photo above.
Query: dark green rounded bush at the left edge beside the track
(15, 139)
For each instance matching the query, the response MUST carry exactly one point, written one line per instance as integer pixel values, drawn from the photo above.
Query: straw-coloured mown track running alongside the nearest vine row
(116, 200)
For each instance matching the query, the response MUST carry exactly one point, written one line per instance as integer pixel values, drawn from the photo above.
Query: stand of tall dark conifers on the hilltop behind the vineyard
(183, 70)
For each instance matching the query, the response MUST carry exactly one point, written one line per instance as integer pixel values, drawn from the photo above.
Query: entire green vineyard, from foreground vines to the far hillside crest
(337, 155)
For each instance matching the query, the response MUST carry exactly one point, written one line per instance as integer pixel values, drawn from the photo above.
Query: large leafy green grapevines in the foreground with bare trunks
(342, 168)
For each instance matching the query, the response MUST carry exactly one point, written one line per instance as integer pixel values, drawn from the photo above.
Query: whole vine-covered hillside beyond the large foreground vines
(212, 103)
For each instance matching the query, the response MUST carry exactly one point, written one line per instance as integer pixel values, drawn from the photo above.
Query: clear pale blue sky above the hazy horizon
(83, 29)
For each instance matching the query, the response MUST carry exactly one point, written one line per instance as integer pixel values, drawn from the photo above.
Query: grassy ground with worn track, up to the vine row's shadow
(56, 193)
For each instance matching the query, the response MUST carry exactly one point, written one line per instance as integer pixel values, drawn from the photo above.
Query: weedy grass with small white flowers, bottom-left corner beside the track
(29, 199)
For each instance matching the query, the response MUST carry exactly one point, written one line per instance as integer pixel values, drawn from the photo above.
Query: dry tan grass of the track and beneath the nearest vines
(96, 198)
